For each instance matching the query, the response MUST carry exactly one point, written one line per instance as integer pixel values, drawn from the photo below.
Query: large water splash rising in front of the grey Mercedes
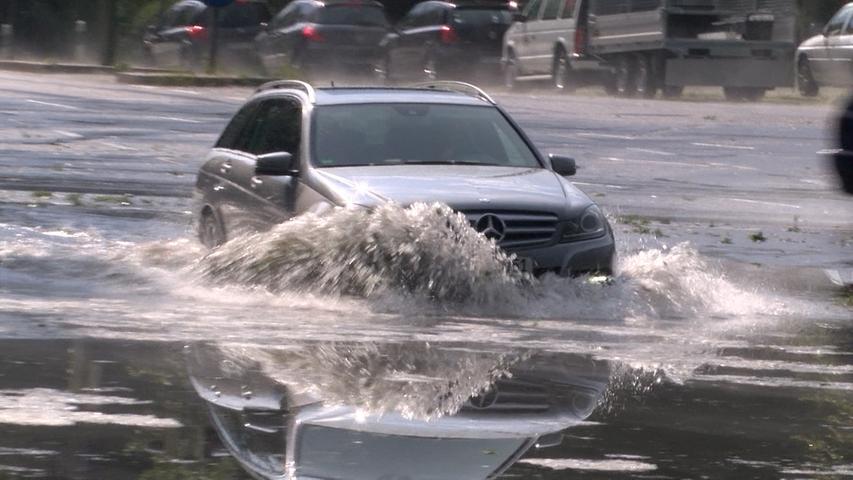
(426, 250)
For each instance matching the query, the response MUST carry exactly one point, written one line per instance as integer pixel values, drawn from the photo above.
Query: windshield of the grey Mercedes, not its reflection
(393, 134)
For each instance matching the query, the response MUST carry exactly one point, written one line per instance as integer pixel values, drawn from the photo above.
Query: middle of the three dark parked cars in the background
(337, 35)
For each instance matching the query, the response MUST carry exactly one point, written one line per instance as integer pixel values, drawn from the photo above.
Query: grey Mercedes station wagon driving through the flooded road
(293, 149)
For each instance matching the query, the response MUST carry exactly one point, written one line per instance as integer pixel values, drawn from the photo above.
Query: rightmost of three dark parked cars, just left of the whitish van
(446, 40)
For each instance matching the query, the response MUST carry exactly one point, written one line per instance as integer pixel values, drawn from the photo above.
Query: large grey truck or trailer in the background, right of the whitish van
(744, 46)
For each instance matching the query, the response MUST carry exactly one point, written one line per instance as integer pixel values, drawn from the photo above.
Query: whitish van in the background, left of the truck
(548, 42)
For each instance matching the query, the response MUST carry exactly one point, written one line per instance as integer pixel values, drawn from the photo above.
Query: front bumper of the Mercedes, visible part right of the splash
(596, 255)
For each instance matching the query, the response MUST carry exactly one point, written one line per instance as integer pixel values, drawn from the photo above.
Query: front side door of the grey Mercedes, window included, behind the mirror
(275, 128)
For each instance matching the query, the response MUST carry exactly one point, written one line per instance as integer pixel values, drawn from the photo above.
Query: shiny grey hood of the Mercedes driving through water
(462, 187)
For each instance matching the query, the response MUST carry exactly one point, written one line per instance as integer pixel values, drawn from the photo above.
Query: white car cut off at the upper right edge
(827, 58)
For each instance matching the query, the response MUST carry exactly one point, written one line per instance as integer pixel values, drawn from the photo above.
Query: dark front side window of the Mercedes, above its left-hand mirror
(276, 127)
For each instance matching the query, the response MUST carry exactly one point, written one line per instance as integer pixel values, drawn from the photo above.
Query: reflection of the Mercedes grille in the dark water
(514, 396)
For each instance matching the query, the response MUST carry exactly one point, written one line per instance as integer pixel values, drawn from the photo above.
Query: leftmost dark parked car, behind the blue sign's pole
(182, 36)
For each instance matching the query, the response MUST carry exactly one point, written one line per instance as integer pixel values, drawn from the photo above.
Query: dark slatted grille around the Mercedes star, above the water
(523, 229)
